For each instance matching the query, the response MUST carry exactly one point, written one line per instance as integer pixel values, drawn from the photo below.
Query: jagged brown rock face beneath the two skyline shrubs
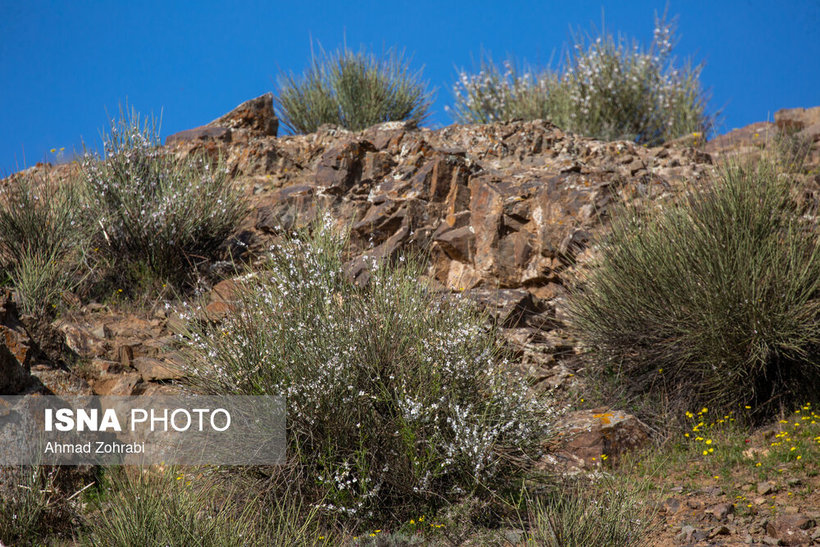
(510, 206)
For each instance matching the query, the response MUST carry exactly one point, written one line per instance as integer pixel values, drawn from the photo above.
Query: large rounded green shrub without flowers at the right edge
(713, 302)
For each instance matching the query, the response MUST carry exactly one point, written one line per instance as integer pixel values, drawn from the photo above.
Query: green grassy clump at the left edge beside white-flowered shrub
(44, 237)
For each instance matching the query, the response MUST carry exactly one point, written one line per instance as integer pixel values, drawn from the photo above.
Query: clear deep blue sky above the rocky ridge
(63, 65)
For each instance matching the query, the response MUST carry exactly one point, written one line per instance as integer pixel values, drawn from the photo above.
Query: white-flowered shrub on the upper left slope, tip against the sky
(157, 212)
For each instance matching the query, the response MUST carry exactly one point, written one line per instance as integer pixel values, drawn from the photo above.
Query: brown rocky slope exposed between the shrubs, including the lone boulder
(508, 212)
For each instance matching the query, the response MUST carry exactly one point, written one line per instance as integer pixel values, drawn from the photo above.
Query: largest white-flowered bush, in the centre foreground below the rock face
(397, 398)
